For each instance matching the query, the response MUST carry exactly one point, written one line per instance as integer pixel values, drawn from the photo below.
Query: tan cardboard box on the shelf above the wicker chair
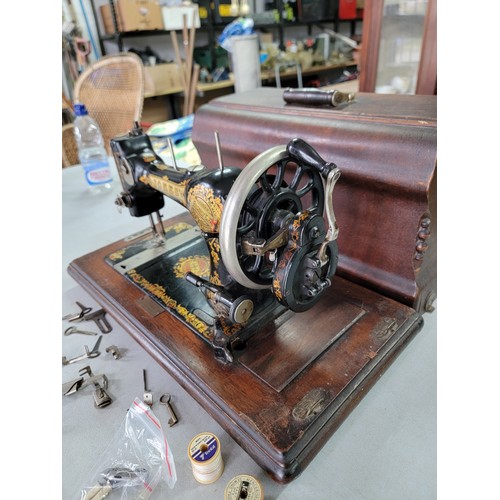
(133, 15)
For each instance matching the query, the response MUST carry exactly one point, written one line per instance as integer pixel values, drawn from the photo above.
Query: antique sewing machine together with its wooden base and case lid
(301, 327)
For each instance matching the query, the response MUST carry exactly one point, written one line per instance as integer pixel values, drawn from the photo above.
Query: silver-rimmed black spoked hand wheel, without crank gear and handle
(271, 190)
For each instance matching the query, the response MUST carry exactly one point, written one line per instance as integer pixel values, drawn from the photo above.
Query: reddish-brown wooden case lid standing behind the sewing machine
(385, 200)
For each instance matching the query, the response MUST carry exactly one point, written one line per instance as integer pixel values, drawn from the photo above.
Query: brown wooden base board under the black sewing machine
(296, 380)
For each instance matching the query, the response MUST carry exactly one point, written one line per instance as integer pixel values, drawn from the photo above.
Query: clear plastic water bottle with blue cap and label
(91, 151)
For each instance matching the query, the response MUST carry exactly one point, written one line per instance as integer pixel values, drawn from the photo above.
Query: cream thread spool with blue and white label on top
(206, 458)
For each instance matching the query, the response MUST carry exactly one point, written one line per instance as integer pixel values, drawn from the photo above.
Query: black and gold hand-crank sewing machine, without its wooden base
(269, 230)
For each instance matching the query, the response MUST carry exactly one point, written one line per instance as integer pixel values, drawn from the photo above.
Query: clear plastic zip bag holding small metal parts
(136, 463)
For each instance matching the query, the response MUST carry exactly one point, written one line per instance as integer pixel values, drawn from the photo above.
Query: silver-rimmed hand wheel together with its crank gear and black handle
(272, 231)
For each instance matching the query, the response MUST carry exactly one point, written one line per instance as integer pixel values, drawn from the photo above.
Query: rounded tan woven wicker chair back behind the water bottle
(112, 90)
